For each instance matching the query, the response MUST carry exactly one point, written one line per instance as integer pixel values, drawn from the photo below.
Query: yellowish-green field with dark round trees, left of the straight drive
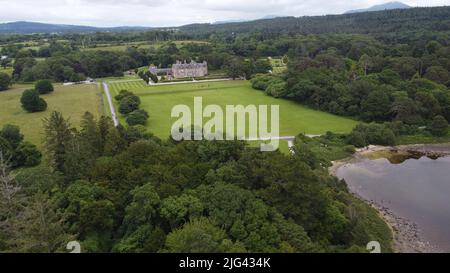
(72, 101)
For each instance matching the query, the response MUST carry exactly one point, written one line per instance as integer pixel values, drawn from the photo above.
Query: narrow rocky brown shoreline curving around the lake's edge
(406, 234)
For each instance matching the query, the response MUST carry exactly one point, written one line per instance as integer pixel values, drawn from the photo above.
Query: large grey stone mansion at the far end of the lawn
(182, 70)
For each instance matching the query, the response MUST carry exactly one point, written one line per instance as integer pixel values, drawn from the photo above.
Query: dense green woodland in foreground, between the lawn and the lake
(122, 190)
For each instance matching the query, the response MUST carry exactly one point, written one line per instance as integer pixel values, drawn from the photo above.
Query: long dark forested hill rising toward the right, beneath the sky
(397, 20)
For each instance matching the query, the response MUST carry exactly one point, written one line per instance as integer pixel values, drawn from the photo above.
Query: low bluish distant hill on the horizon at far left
(32, 27)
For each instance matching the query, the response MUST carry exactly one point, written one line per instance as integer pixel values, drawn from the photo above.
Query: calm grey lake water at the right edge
(416, 189)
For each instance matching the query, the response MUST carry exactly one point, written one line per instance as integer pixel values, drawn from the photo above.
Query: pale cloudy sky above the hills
(164, 13)
